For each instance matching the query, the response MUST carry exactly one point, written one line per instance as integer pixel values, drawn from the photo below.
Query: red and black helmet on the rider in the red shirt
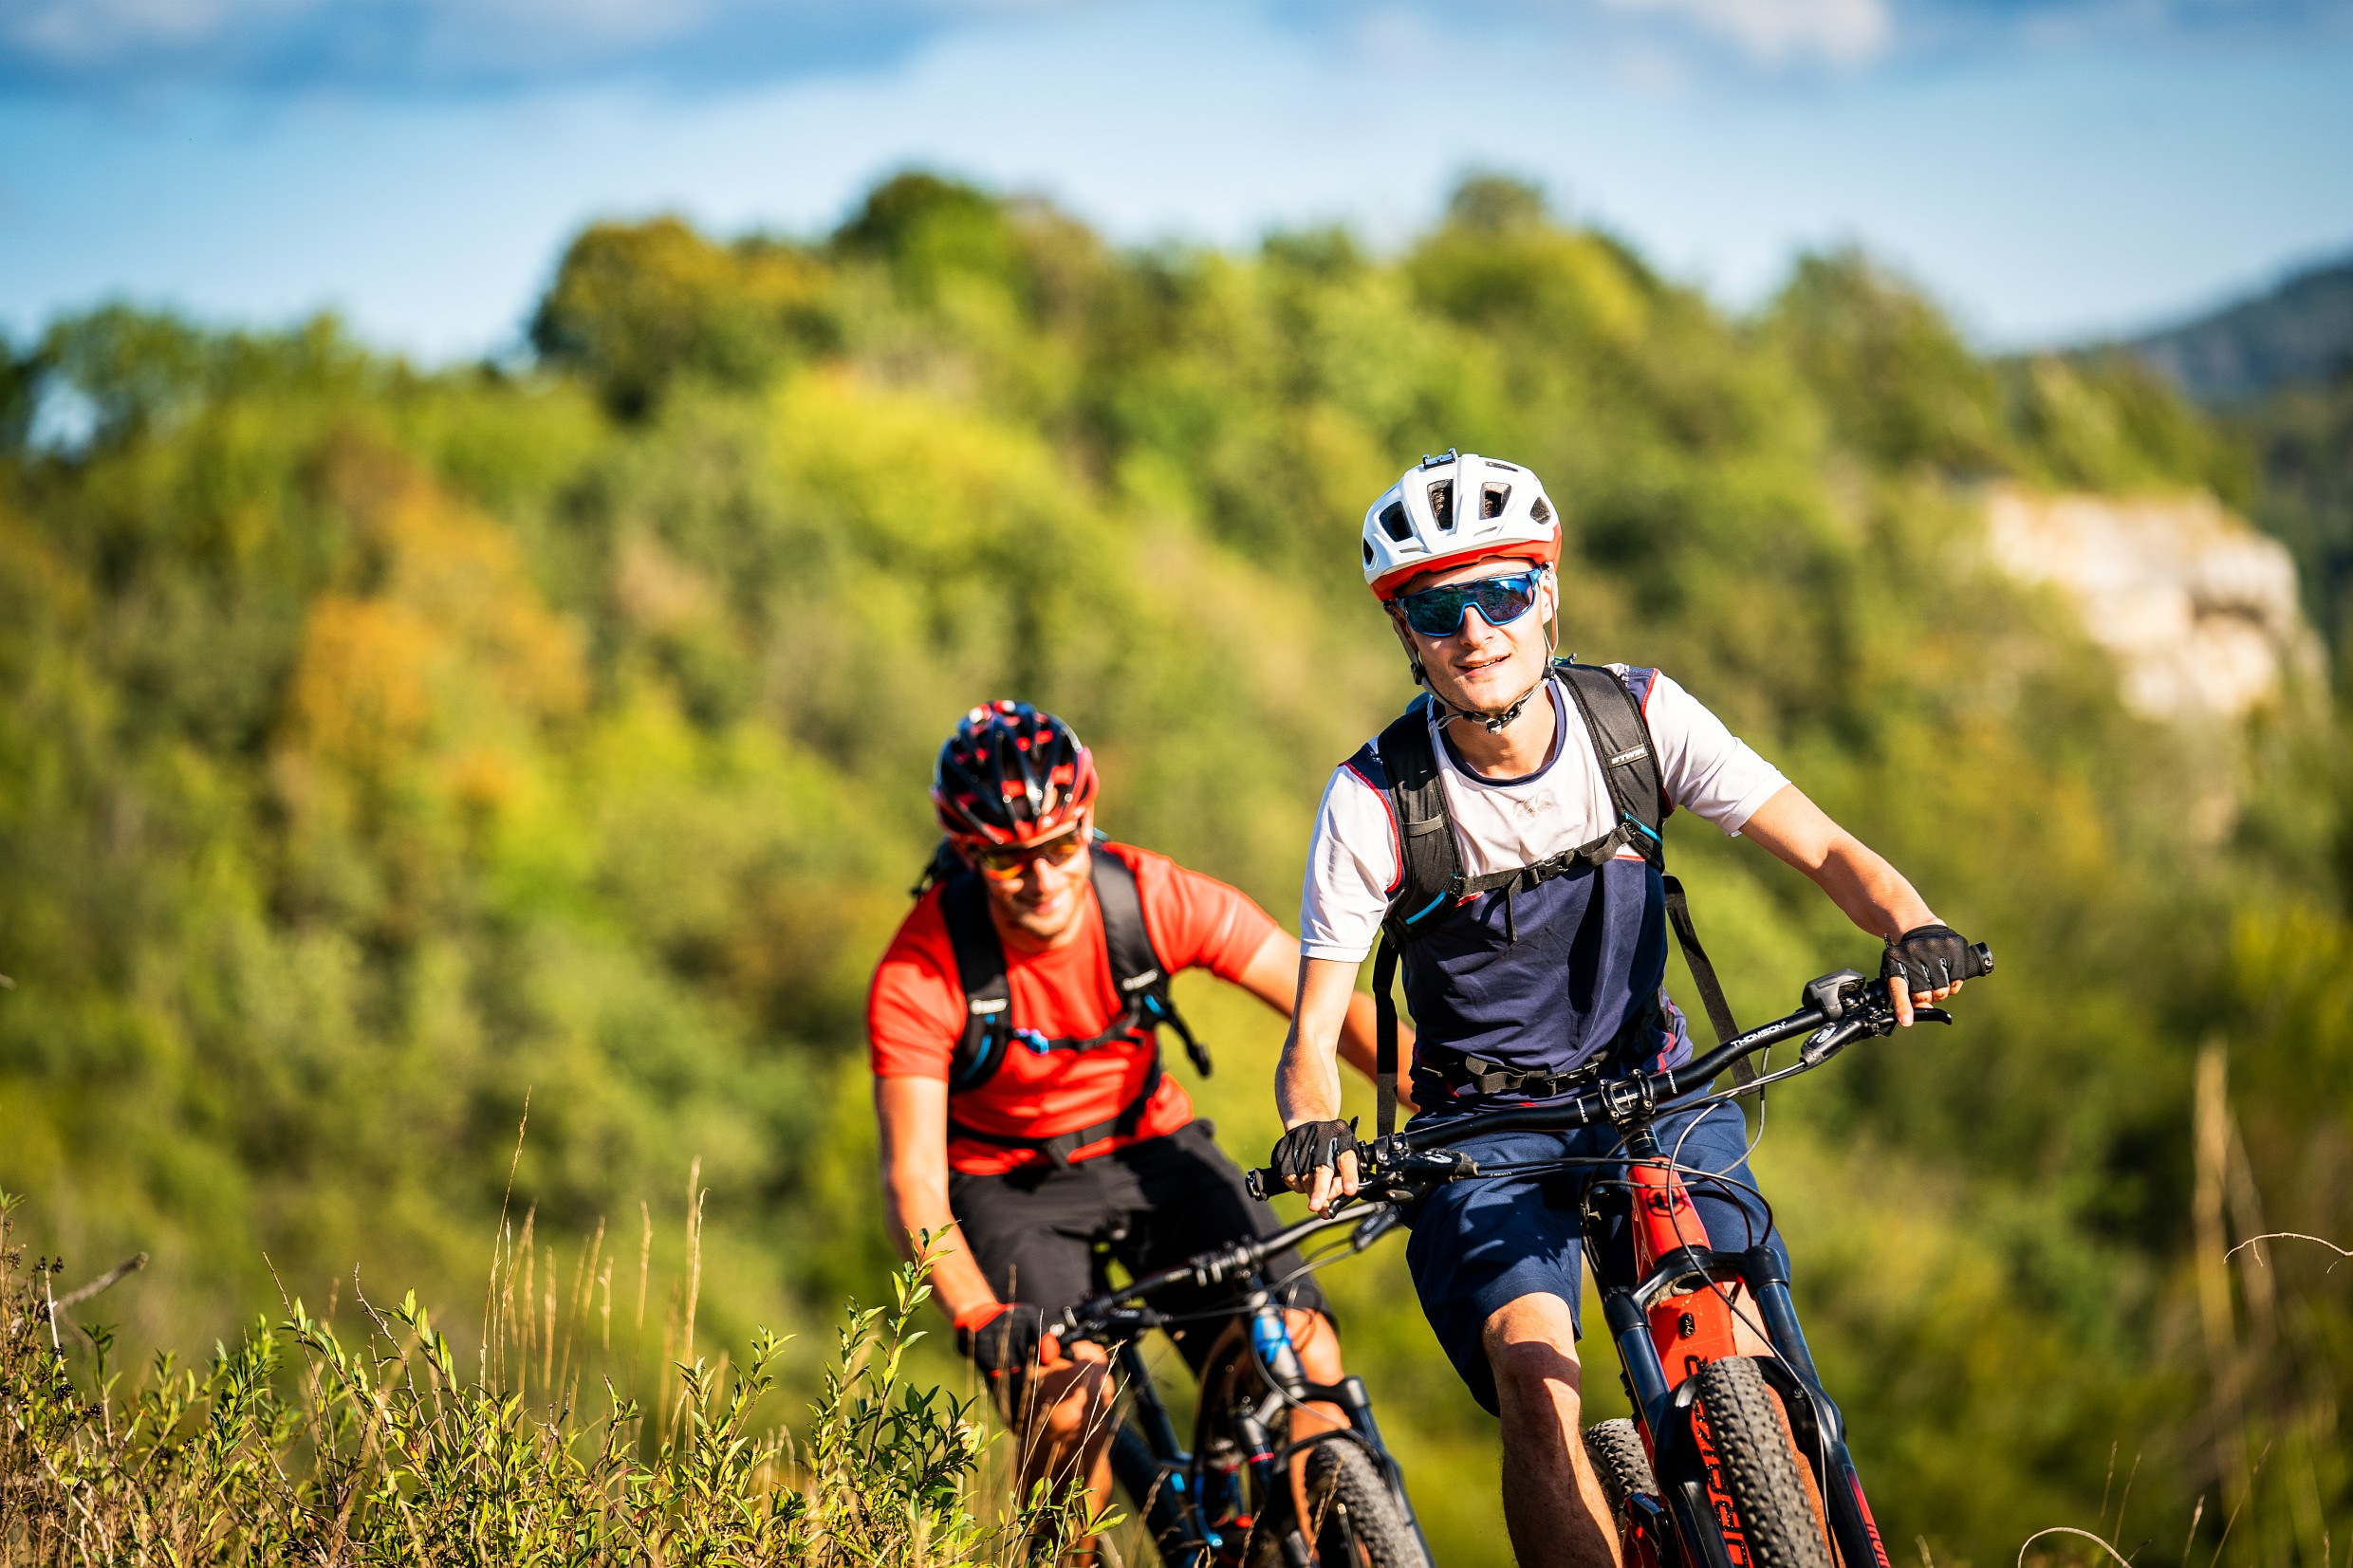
(1011, 775)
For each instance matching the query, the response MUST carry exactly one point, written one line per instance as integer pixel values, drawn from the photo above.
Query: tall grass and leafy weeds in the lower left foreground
(302, 1447)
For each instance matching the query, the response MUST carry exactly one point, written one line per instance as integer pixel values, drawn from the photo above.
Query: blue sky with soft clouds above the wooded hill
(2051, 168)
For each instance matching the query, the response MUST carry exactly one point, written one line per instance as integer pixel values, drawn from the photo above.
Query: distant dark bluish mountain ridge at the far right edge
(2295, 335)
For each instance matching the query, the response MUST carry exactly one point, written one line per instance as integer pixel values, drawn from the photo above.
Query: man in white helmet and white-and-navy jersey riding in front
(1554, 974)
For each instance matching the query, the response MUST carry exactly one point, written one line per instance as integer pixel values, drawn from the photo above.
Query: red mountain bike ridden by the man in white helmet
(1731, 1461)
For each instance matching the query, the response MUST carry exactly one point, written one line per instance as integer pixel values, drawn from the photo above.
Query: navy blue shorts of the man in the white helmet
(1486, 1242)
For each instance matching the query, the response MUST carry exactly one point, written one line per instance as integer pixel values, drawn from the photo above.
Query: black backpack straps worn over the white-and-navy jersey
(1404, 765)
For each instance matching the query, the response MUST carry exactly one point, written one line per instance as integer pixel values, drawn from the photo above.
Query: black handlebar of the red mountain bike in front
(1837, 1010)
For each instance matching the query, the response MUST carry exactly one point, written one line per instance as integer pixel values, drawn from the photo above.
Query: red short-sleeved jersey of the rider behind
(916, 1014)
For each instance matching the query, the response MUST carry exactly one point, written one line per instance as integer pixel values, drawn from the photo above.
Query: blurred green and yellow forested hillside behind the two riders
(389, 749)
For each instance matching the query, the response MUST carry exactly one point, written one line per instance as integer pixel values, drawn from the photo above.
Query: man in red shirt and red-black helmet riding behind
(1020, 1087)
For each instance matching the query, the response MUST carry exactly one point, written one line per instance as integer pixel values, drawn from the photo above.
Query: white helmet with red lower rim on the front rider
(1453, 511)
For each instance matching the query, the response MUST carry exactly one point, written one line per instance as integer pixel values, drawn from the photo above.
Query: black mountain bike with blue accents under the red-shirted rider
(1237, 1499)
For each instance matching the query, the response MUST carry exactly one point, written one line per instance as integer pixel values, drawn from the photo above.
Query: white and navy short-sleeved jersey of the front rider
(1547, 984)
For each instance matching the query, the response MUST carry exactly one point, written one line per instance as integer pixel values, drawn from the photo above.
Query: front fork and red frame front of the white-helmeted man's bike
(1672, 1322)
